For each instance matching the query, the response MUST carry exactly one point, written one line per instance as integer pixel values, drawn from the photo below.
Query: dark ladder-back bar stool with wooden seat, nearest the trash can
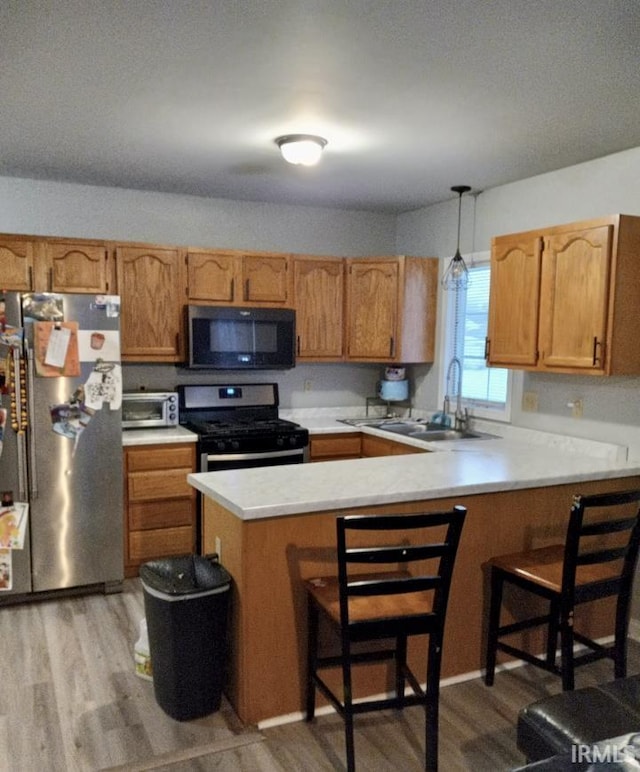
(409, 597)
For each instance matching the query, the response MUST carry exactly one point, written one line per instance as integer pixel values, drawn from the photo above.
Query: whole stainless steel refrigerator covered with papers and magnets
(61, 443)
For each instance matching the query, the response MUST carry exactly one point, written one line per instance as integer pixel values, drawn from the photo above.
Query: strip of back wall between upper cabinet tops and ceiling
(62, 209)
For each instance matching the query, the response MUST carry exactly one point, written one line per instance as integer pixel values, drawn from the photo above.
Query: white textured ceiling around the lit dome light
(413, 96)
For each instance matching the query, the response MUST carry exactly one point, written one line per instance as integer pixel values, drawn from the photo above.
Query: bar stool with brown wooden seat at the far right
(598, 560)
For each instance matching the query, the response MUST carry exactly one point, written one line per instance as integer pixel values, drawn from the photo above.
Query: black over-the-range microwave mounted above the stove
(238, 338)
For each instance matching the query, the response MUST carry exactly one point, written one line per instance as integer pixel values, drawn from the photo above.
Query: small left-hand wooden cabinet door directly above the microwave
(212, 276)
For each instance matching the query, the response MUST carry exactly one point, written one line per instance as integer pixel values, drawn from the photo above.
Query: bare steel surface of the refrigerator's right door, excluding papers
(76, 486)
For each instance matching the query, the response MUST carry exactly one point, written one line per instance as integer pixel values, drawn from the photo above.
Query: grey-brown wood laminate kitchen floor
(70, 702)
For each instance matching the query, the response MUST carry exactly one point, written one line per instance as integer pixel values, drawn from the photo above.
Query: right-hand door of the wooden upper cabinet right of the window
(574, 299)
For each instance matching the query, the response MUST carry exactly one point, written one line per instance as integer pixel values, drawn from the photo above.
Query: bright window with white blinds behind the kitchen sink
(485, 390)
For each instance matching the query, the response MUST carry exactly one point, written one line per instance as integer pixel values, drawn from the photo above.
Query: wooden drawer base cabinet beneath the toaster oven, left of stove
(160, 506)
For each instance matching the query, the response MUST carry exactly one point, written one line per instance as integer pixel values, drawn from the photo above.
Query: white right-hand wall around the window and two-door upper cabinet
(601, 187)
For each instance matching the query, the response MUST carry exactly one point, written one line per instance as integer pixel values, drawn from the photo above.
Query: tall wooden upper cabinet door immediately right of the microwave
(319, 302)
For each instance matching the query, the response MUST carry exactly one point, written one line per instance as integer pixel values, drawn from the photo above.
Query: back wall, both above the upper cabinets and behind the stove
(61, 209)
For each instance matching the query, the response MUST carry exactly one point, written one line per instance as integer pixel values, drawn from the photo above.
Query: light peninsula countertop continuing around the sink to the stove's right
(519, 459)
